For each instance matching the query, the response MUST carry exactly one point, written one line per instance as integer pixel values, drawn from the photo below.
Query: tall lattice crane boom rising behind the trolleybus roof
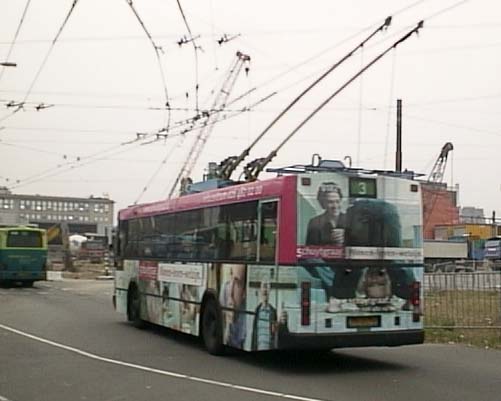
(212, 114)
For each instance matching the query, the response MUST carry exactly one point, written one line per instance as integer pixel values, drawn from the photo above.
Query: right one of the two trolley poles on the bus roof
(253, 169)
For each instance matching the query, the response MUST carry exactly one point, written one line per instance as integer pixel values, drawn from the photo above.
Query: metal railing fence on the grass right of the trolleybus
(463, 300)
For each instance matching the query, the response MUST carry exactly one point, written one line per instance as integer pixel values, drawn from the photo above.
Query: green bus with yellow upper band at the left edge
(23, 255)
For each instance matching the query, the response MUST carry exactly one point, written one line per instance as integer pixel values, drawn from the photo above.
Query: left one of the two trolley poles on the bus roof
(229, 165)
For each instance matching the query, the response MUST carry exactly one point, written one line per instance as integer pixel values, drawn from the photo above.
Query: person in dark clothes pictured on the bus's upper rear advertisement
(328, 227)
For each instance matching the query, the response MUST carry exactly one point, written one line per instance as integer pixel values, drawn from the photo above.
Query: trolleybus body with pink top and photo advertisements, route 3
(309, 259)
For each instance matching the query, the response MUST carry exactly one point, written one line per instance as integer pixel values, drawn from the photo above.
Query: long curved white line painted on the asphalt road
(157, 371)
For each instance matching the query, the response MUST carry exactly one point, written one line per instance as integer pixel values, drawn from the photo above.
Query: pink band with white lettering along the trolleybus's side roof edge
(273, 187)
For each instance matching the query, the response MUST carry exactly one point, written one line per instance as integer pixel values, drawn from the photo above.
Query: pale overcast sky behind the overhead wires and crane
(104, 83)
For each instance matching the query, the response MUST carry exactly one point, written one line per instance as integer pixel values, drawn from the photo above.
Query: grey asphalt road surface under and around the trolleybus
(63, 341)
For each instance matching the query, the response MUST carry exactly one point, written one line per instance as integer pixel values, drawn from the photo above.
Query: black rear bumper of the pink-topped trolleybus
(345, 340)
